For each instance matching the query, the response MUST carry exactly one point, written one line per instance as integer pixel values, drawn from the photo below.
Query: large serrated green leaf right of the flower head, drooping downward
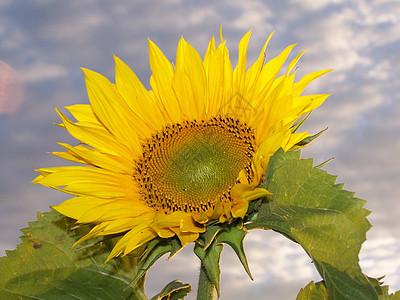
(328, 222)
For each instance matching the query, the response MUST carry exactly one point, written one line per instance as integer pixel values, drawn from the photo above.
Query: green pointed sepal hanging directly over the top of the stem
(210, 259)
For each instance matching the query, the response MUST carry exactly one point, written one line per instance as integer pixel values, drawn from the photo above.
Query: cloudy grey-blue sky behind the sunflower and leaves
(44, 43)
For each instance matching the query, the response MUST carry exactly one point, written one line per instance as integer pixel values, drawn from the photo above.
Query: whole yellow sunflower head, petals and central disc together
(193, 149)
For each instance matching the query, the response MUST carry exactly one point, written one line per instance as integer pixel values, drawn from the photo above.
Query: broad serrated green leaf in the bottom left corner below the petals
(45, 266)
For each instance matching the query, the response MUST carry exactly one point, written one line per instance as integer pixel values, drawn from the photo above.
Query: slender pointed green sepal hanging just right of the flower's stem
(234, 236)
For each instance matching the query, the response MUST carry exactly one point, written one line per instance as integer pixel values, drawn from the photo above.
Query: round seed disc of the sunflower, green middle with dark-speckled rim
(188, 167)
